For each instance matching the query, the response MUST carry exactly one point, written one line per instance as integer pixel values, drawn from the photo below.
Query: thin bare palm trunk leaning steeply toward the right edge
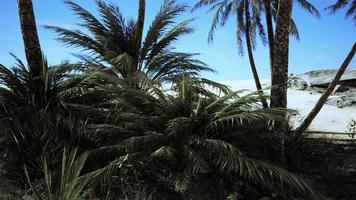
(318, 106)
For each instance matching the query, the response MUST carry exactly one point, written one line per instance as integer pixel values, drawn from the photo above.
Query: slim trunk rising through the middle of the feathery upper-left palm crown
(138, 34)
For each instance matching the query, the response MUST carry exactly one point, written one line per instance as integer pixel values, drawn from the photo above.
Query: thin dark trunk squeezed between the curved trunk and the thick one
(270, 34)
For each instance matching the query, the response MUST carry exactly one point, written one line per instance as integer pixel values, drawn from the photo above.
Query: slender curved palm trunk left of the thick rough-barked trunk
(250, 55)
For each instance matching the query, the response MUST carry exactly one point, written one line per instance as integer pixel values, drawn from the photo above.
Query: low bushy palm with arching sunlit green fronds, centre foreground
(189, 140)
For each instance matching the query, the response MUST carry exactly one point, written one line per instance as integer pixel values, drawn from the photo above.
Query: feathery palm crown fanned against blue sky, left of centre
(115, 44)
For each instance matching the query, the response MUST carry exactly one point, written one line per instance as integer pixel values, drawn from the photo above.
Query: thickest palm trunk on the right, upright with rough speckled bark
(279, 71)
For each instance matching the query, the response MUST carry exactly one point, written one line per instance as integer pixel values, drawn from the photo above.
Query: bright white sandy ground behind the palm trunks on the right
(330, 118)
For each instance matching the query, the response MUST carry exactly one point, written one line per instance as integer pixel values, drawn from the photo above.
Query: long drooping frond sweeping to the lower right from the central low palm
(232, 160)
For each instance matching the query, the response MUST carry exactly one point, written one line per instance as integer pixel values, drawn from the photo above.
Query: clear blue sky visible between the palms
(324, 43)
